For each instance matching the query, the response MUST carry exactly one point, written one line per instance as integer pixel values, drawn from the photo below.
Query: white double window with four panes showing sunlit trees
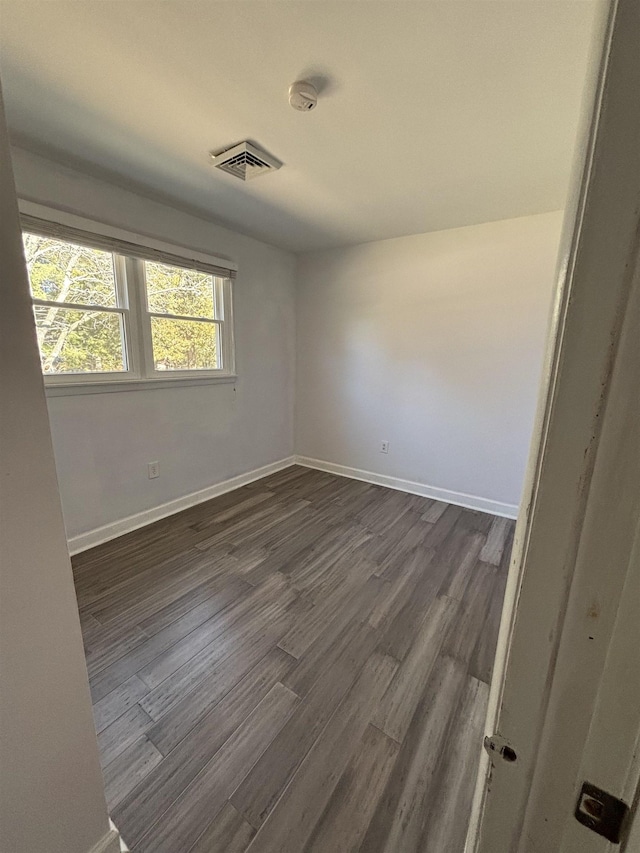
(106, 316)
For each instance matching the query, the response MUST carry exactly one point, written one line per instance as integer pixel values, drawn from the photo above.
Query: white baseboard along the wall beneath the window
(91, 538)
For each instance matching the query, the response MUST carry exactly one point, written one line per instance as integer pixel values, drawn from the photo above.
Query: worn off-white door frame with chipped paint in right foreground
(564, 697)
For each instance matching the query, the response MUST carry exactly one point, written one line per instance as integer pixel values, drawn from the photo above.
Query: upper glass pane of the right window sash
(172, 290)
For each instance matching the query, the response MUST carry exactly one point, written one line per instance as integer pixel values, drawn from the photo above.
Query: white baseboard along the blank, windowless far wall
(445, 495)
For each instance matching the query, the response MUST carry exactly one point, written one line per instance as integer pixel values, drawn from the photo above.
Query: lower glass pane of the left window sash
(79, 341)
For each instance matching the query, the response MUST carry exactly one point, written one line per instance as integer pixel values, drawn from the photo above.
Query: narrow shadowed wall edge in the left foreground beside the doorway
(51, 789)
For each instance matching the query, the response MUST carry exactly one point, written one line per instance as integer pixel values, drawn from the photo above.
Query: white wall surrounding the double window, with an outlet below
(200, 435)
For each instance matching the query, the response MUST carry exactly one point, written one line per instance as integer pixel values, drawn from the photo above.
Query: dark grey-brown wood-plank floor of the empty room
(299, 666)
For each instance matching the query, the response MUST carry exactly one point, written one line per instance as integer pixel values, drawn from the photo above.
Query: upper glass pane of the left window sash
(63, 272)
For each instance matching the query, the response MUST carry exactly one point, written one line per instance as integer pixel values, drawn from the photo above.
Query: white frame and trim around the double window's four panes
(132, 307)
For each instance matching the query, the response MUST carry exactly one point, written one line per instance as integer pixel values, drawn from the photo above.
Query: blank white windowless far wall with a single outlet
(433, 342)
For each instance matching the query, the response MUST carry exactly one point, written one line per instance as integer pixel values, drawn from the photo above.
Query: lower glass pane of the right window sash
(184, 344)
